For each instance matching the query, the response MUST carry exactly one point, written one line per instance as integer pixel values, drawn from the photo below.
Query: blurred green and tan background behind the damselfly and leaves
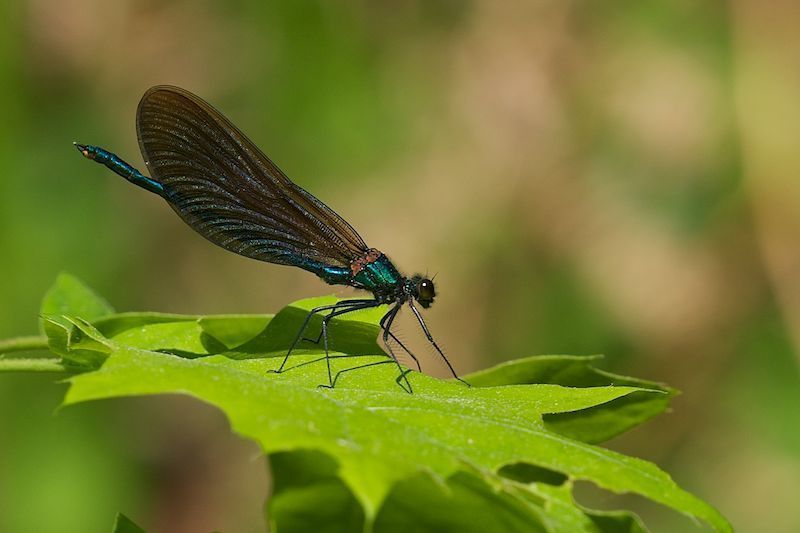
(585, 177)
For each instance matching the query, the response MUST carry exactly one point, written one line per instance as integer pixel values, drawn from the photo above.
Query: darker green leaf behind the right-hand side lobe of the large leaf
(593, 425)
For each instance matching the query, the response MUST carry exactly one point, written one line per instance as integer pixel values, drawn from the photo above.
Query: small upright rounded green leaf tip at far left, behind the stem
(69, 296)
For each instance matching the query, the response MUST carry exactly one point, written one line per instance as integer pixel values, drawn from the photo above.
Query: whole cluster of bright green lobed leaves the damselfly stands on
(503, 454)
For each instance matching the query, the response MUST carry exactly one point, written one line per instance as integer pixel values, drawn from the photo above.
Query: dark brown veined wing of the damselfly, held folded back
(225, 188)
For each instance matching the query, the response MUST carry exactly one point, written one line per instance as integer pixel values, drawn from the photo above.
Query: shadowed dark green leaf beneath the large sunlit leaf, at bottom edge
(307, 496)
